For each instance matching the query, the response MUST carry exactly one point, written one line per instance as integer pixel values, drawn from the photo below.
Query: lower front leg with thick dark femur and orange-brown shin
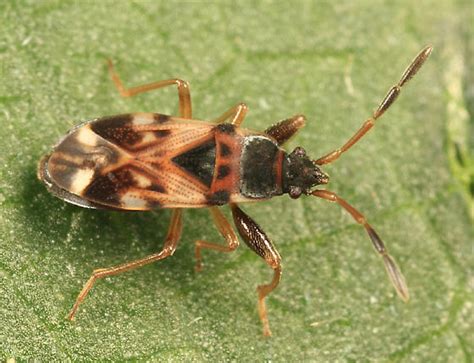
(258, 241)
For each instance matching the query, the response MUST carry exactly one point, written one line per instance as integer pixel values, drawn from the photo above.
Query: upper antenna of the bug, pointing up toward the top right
(389, 99)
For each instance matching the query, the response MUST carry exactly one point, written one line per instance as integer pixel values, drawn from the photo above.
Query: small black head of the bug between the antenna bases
(300, 174)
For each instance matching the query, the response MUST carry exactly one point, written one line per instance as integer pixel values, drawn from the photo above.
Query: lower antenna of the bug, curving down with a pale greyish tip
(396, 277)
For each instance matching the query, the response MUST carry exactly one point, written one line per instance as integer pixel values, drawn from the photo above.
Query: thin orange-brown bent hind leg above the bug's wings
(185, 109)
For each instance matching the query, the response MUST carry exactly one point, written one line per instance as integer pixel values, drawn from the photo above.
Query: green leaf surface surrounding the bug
(411, 176)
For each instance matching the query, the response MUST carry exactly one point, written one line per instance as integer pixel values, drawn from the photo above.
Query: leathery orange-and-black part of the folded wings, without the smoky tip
(146, 176)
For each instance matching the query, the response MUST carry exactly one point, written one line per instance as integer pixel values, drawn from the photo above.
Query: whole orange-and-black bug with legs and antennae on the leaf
(144, 161)
